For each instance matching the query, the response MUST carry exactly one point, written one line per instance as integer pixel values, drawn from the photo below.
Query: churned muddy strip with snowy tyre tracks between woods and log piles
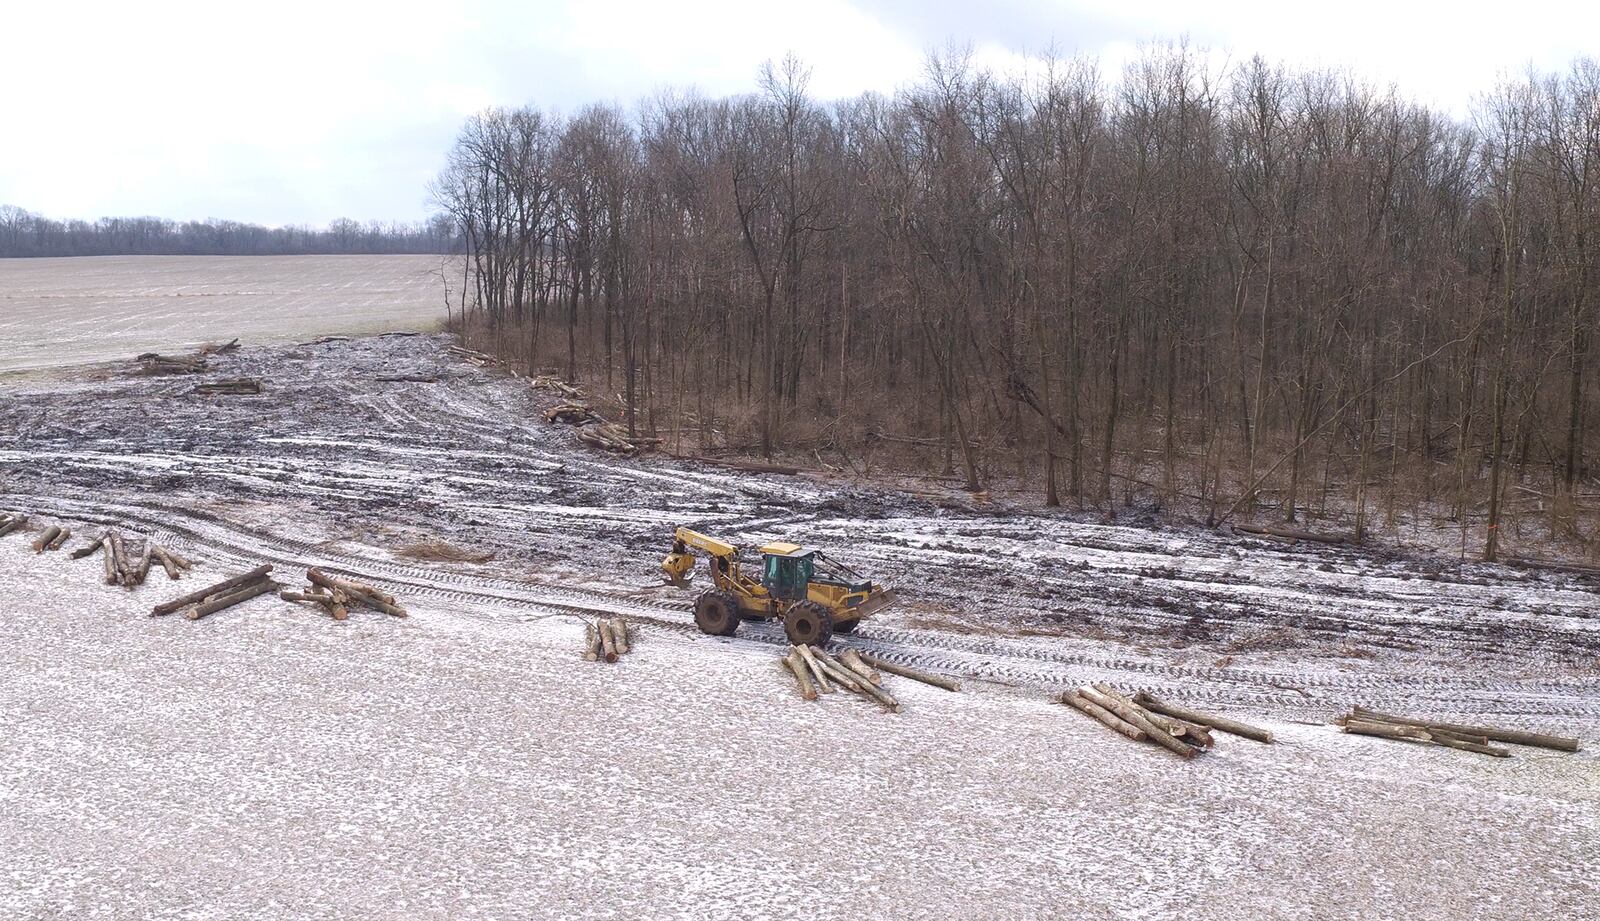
(337, 464)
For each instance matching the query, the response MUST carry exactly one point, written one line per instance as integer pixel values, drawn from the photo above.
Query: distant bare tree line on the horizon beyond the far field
(26, 234)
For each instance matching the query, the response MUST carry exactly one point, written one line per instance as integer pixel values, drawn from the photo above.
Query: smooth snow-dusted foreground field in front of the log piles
(271, 764)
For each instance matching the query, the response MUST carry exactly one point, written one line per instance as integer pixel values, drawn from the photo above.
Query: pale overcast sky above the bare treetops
(298, 113)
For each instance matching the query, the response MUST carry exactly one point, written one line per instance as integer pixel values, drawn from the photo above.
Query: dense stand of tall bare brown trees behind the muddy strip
(1255, 293)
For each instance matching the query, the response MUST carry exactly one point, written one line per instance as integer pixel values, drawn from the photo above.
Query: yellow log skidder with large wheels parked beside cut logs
(809, 592)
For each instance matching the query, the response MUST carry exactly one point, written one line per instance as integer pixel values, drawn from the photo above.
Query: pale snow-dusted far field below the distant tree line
(100, 308)
